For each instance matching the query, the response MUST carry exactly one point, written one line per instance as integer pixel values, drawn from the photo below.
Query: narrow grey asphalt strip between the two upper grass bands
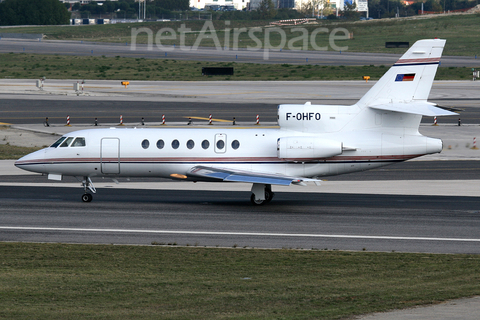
(85, 48)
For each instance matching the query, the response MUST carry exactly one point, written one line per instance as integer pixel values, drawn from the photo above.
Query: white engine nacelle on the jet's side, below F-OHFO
(307, 148)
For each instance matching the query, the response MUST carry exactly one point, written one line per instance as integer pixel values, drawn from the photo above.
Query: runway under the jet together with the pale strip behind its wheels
(371, 211)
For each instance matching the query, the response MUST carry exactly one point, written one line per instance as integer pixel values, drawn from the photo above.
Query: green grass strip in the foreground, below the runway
(56, 281)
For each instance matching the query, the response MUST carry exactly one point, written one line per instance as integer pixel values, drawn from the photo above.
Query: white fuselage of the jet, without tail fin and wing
(153, 152)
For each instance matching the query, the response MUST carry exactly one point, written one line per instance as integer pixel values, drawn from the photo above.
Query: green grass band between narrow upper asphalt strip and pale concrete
(32, 66)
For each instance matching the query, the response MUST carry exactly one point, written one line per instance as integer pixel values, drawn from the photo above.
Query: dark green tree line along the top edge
(53, 12)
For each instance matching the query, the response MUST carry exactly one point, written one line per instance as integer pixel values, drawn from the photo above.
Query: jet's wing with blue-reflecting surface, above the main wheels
(220, 174)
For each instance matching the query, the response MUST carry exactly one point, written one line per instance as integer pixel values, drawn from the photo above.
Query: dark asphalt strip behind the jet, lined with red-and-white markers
(20, 111)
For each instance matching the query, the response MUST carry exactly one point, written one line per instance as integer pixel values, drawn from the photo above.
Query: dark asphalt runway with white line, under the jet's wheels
(226, 219)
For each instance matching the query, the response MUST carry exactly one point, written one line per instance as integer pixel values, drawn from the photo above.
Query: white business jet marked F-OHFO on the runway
(310, 142)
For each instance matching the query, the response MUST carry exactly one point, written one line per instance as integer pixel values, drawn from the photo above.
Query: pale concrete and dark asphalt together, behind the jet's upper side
(22, 103)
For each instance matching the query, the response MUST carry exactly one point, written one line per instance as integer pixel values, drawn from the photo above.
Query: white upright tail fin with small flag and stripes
(410, 79)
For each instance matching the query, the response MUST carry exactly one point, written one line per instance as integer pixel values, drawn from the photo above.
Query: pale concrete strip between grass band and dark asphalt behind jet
(222, 91)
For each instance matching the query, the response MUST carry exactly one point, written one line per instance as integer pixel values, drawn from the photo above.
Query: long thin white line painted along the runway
(260, 234)
